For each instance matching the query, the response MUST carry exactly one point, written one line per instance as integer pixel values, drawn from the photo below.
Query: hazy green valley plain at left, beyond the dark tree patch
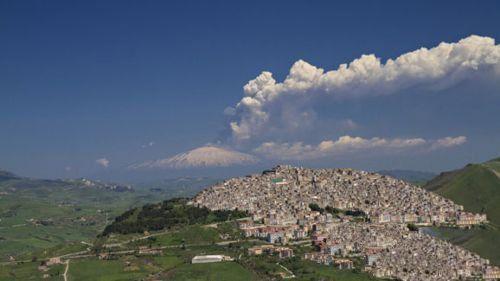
(39, 214)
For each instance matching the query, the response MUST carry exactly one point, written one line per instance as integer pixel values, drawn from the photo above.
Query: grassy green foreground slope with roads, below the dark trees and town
(167, 255)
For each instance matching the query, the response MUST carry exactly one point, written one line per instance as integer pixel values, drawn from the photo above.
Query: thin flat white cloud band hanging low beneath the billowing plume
(349, 144)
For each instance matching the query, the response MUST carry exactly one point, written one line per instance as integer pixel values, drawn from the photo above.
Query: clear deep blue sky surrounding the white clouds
(84, 80)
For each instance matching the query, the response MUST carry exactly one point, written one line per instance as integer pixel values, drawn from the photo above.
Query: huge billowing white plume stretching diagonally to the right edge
(287, 106)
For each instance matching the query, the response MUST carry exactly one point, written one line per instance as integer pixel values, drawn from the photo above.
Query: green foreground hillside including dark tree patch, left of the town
(125, 253)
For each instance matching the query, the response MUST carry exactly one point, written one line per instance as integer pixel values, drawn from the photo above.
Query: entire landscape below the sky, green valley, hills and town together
(84, 233)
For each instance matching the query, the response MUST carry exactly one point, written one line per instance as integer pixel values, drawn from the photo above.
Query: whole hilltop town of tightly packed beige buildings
(349, 214)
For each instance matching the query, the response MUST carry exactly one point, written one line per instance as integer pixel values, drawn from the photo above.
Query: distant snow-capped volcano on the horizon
(201, 157)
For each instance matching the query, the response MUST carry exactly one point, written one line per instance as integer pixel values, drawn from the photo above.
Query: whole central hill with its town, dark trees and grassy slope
(301, 220)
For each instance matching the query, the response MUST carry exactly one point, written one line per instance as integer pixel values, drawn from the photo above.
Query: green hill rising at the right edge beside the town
(477, 188)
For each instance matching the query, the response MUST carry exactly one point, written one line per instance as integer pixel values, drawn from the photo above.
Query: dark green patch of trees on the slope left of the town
(168, 214)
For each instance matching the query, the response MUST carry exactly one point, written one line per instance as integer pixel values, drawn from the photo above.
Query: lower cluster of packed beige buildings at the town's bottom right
(392, 250)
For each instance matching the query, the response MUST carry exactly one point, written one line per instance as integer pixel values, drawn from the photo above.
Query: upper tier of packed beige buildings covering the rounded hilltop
(283, 195)
